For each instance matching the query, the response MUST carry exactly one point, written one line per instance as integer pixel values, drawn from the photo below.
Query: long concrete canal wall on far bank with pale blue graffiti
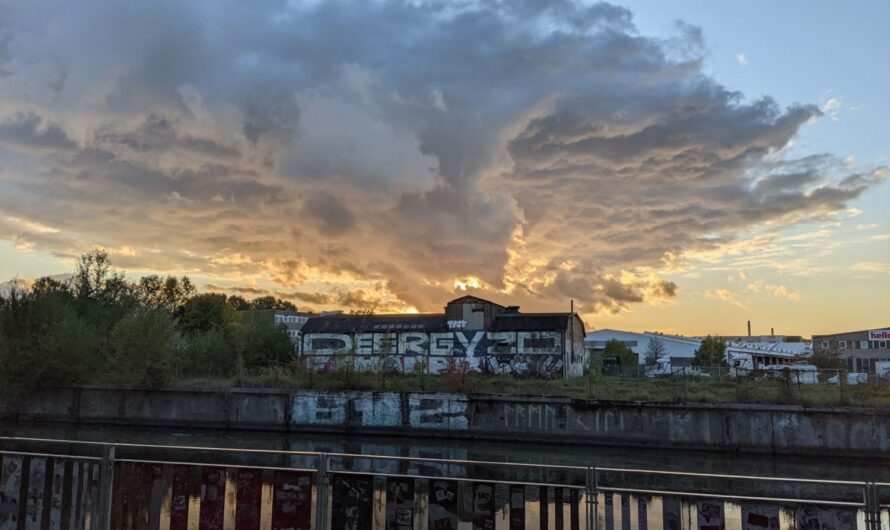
(742, 428)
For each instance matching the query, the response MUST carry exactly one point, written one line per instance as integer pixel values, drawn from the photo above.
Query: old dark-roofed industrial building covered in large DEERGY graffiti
(471, 333)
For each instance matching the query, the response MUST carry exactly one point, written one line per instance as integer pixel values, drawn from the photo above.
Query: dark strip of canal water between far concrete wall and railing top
(835, 468)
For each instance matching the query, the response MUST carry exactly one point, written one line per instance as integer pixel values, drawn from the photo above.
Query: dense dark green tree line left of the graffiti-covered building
(98, 327)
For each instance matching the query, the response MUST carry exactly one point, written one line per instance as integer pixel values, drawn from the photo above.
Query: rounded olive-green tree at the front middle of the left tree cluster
(142, 345)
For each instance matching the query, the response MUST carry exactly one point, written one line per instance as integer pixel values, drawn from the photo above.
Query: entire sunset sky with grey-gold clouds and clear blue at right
(682, 170)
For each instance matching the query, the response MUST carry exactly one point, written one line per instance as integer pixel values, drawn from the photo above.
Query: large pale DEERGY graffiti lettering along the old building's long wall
(533, 353)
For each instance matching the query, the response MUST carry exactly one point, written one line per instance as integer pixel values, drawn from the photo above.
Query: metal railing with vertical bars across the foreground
(160, 483)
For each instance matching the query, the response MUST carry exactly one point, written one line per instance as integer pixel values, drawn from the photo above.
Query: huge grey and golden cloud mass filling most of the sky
(381, 149)
